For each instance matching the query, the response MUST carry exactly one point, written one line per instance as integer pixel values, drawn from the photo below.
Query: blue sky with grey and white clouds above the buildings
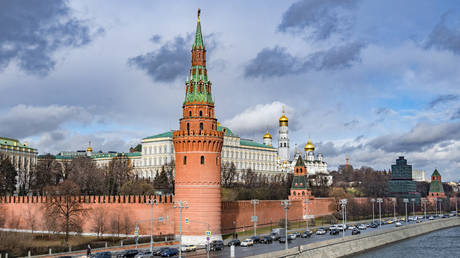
(370, 80)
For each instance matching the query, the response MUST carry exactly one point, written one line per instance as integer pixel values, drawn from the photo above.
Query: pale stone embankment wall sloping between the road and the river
(351, 245)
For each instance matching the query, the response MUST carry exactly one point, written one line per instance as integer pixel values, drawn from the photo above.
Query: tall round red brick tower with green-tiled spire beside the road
(198, 145)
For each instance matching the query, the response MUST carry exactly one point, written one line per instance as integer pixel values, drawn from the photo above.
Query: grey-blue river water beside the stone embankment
(442, 243)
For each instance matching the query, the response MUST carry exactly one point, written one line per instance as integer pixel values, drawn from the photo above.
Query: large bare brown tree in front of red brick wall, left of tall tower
(64, 207)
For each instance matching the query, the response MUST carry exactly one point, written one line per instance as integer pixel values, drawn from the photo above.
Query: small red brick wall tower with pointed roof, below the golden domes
(300, 188)
